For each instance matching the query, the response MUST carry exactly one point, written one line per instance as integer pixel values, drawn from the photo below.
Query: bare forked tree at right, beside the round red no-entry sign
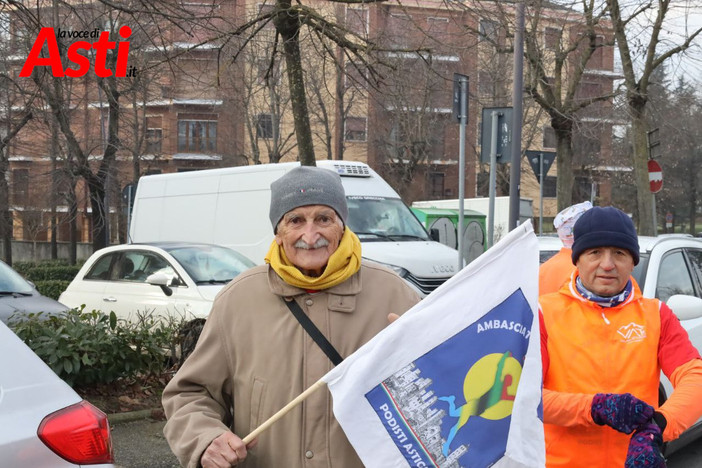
(639, 61)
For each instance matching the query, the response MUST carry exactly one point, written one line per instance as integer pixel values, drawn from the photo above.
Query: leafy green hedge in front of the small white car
(86, 348)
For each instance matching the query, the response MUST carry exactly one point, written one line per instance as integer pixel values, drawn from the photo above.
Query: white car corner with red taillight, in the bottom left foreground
(43, 422)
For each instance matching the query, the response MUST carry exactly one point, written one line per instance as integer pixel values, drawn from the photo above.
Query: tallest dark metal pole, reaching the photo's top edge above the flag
(517, 85)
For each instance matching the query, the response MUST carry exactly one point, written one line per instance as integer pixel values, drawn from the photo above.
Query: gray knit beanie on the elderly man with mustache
(307, 185)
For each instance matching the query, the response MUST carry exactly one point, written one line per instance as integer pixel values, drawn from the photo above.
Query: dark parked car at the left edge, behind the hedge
(19, 297)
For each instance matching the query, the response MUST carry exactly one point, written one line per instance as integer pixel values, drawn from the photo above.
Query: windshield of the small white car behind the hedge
(210, 264)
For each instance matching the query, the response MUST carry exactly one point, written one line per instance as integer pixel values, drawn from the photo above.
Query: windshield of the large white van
(383, 219)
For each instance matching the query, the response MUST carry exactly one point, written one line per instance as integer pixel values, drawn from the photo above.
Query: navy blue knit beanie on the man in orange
(605, 227)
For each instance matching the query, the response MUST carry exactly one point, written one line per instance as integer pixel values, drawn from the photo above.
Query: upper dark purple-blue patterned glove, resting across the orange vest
(621, 411)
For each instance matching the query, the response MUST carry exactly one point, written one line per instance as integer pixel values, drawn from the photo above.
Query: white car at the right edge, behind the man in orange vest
(670, 269)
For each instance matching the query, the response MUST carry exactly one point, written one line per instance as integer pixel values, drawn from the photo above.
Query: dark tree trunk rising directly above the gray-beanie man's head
(287, 23)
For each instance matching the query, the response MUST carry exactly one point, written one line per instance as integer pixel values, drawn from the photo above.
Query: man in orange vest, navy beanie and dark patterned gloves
(603, 348)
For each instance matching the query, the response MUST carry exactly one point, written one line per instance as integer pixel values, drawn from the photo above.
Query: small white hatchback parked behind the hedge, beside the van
(179, 279)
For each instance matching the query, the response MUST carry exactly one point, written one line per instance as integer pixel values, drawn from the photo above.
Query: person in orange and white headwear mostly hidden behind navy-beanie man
(556, 270)
